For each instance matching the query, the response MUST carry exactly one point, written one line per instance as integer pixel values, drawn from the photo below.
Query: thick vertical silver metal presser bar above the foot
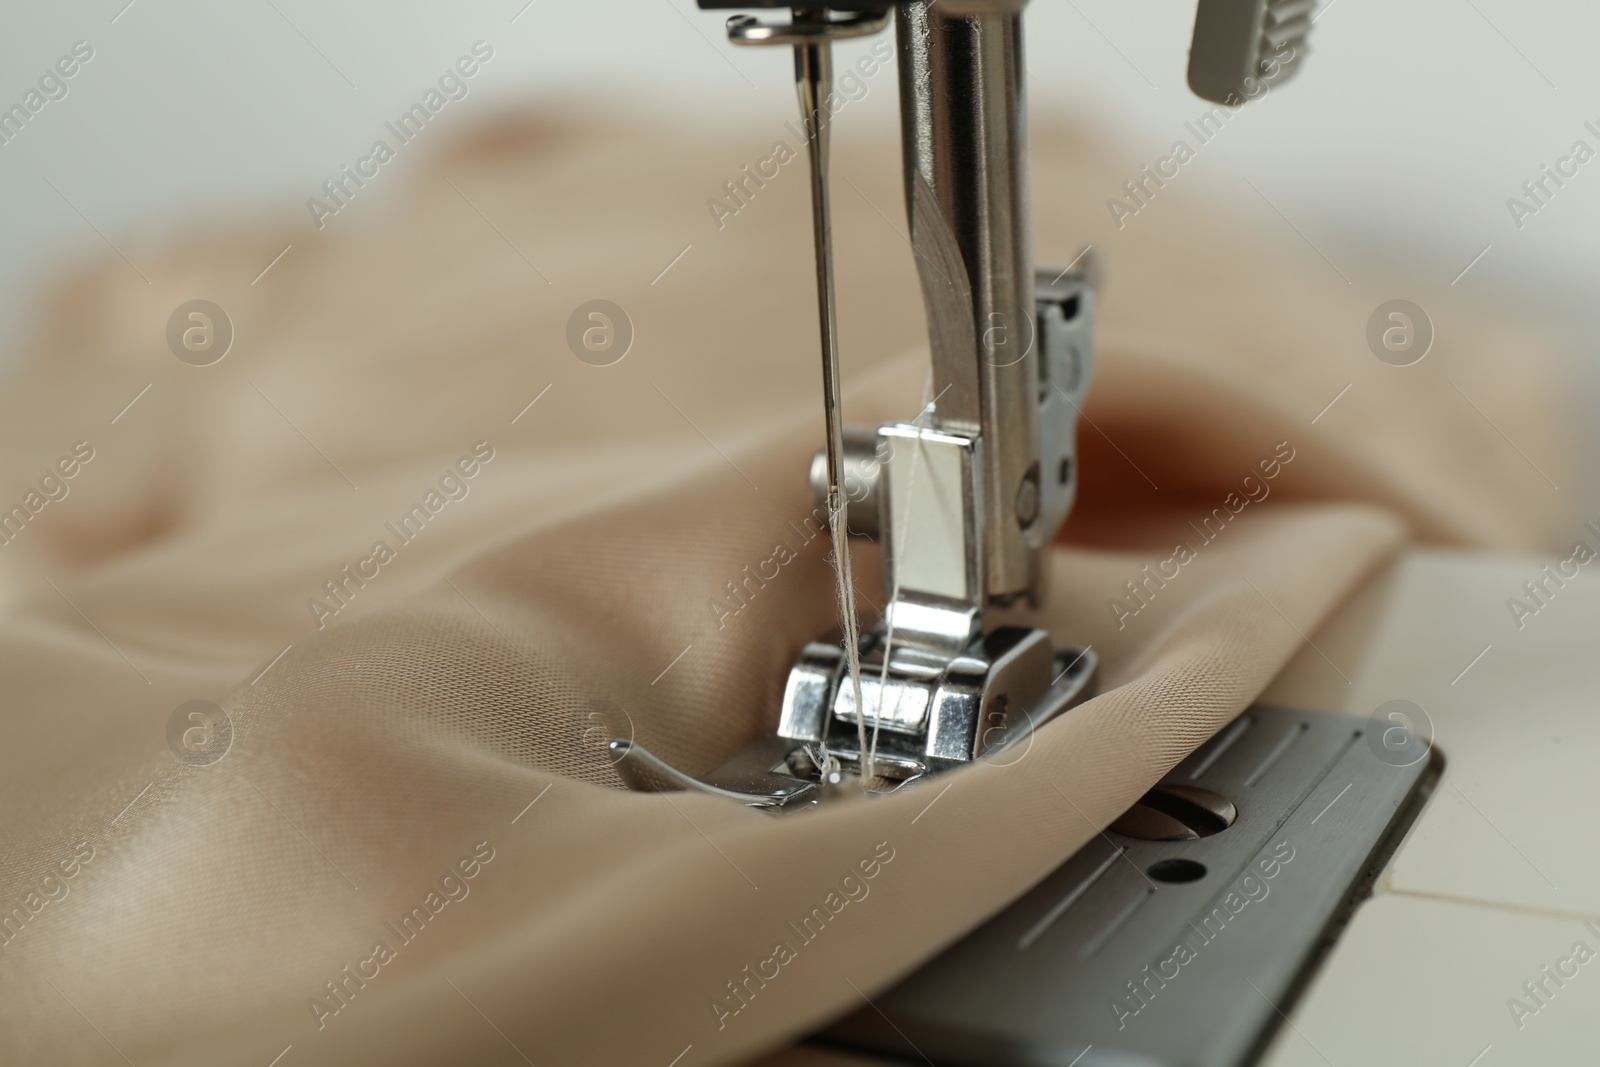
(966, 142)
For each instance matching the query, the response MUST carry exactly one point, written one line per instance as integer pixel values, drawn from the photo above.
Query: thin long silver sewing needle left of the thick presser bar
(814, 81)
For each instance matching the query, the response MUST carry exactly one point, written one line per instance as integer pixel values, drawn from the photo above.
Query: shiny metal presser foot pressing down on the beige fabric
(932, 714)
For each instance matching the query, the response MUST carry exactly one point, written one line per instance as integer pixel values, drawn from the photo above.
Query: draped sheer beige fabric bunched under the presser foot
(460, 684)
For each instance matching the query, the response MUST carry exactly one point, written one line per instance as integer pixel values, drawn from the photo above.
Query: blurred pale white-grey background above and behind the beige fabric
(1406, 132)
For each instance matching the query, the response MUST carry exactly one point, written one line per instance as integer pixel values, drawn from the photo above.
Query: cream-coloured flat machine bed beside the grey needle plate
(1498, 877)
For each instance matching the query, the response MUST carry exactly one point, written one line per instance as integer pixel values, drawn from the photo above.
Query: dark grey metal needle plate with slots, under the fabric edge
(1170, 953)
